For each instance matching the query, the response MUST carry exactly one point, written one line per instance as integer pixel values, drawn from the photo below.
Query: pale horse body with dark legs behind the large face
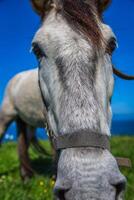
(23, 104)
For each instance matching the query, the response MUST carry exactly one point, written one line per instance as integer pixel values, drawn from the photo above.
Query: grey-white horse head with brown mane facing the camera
(74, 49)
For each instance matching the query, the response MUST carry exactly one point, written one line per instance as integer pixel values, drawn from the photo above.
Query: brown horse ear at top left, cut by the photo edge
(39, 6)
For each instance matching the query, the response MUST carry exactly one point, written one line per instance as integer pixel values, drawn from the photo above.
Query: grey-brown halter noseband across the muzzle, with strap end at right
(87, 139)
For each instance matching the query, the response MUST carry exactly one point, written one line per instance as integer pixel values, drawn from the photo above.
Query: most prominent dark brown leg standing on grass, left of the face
(23, 145)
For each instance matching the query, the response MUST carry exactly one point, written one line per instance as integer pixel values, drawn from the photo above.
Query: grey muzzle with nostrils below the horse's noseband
(85, 174)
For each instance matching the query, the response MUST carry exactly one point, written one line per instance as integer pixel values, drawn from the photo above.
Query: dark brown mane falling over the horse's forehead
(82, 17)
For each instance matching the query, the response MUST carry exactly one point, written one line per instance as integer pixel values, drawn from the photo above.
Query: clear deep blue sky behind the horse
(18, 24)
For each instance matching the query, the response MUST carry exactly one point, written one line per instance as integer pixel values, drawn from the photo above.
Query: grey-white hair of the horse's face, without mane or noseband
(79, 82)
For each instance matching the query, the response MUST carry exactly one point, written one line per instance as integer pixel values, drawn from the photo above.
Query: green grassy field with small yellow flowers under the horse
(40, 187)
